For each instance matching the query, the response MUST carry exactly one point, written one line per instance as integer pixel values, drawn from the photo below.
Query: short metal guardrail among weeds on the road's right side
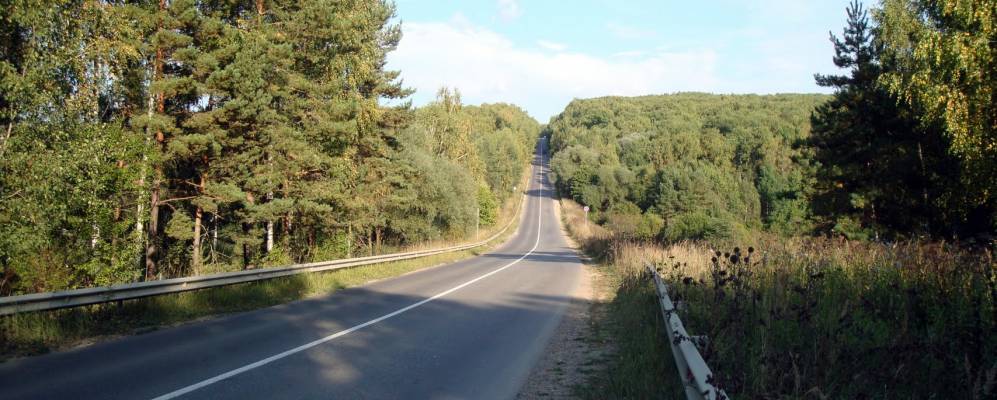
(695, 374)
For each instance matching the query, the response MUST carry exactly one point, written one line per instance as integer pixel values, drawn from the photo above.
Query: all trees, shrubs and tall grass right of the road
(829, 246)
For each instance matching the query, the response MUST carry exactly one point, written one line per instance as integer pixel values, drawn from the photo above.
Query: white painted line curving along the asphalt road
(182, 391)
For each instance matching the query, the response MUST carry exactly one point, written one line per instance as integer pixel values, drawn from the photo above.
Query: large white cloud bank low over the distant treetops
(487, 67)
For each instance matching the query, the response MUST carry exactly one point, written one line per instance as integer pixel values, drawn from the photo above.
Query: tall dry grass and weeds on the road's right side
(803, 317)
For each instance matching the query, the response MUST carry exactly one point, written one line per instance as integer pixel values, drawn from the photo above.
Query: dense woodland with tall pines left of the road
(149, 139)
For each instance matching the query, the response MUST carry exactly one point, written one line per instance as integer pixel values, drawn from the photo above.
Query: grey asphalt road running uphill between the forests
(472, 329)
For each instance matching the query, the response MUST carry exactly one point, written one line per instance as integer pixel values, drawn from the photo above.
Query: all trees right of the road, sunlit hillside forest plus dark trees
(905, 147)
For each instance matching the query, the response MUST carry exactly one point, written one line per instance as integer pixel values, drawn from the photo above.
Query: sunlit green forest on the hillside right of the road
(706, 166)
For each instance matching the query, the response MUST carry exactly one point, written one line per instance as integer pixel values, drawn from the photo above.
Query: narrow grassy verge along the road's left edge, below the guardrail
(41, 332)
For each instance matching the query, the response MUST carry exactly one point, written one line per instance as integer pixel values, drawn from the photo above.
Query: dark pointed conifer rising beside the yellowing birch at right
(879, 171)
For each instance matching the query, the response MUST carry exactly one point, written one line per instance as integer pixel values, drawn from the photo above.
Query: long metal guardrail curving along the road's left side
(81, 297)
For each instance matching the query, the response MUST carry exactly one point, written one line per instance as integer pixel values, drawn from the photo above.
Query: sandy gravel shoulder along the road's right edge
(576, 352)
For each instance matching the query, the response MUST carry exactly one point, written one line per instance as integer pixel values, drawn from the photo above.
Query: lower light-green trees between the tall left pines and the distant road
(463, 159)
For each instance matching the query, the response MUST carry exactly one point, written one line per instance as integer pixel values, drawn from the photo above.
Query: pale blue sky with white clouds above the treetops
(541, 54)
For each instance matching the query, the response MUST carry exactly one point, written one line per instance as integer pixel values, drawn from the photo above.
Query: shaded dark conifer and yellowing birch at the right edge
(888, 166)
